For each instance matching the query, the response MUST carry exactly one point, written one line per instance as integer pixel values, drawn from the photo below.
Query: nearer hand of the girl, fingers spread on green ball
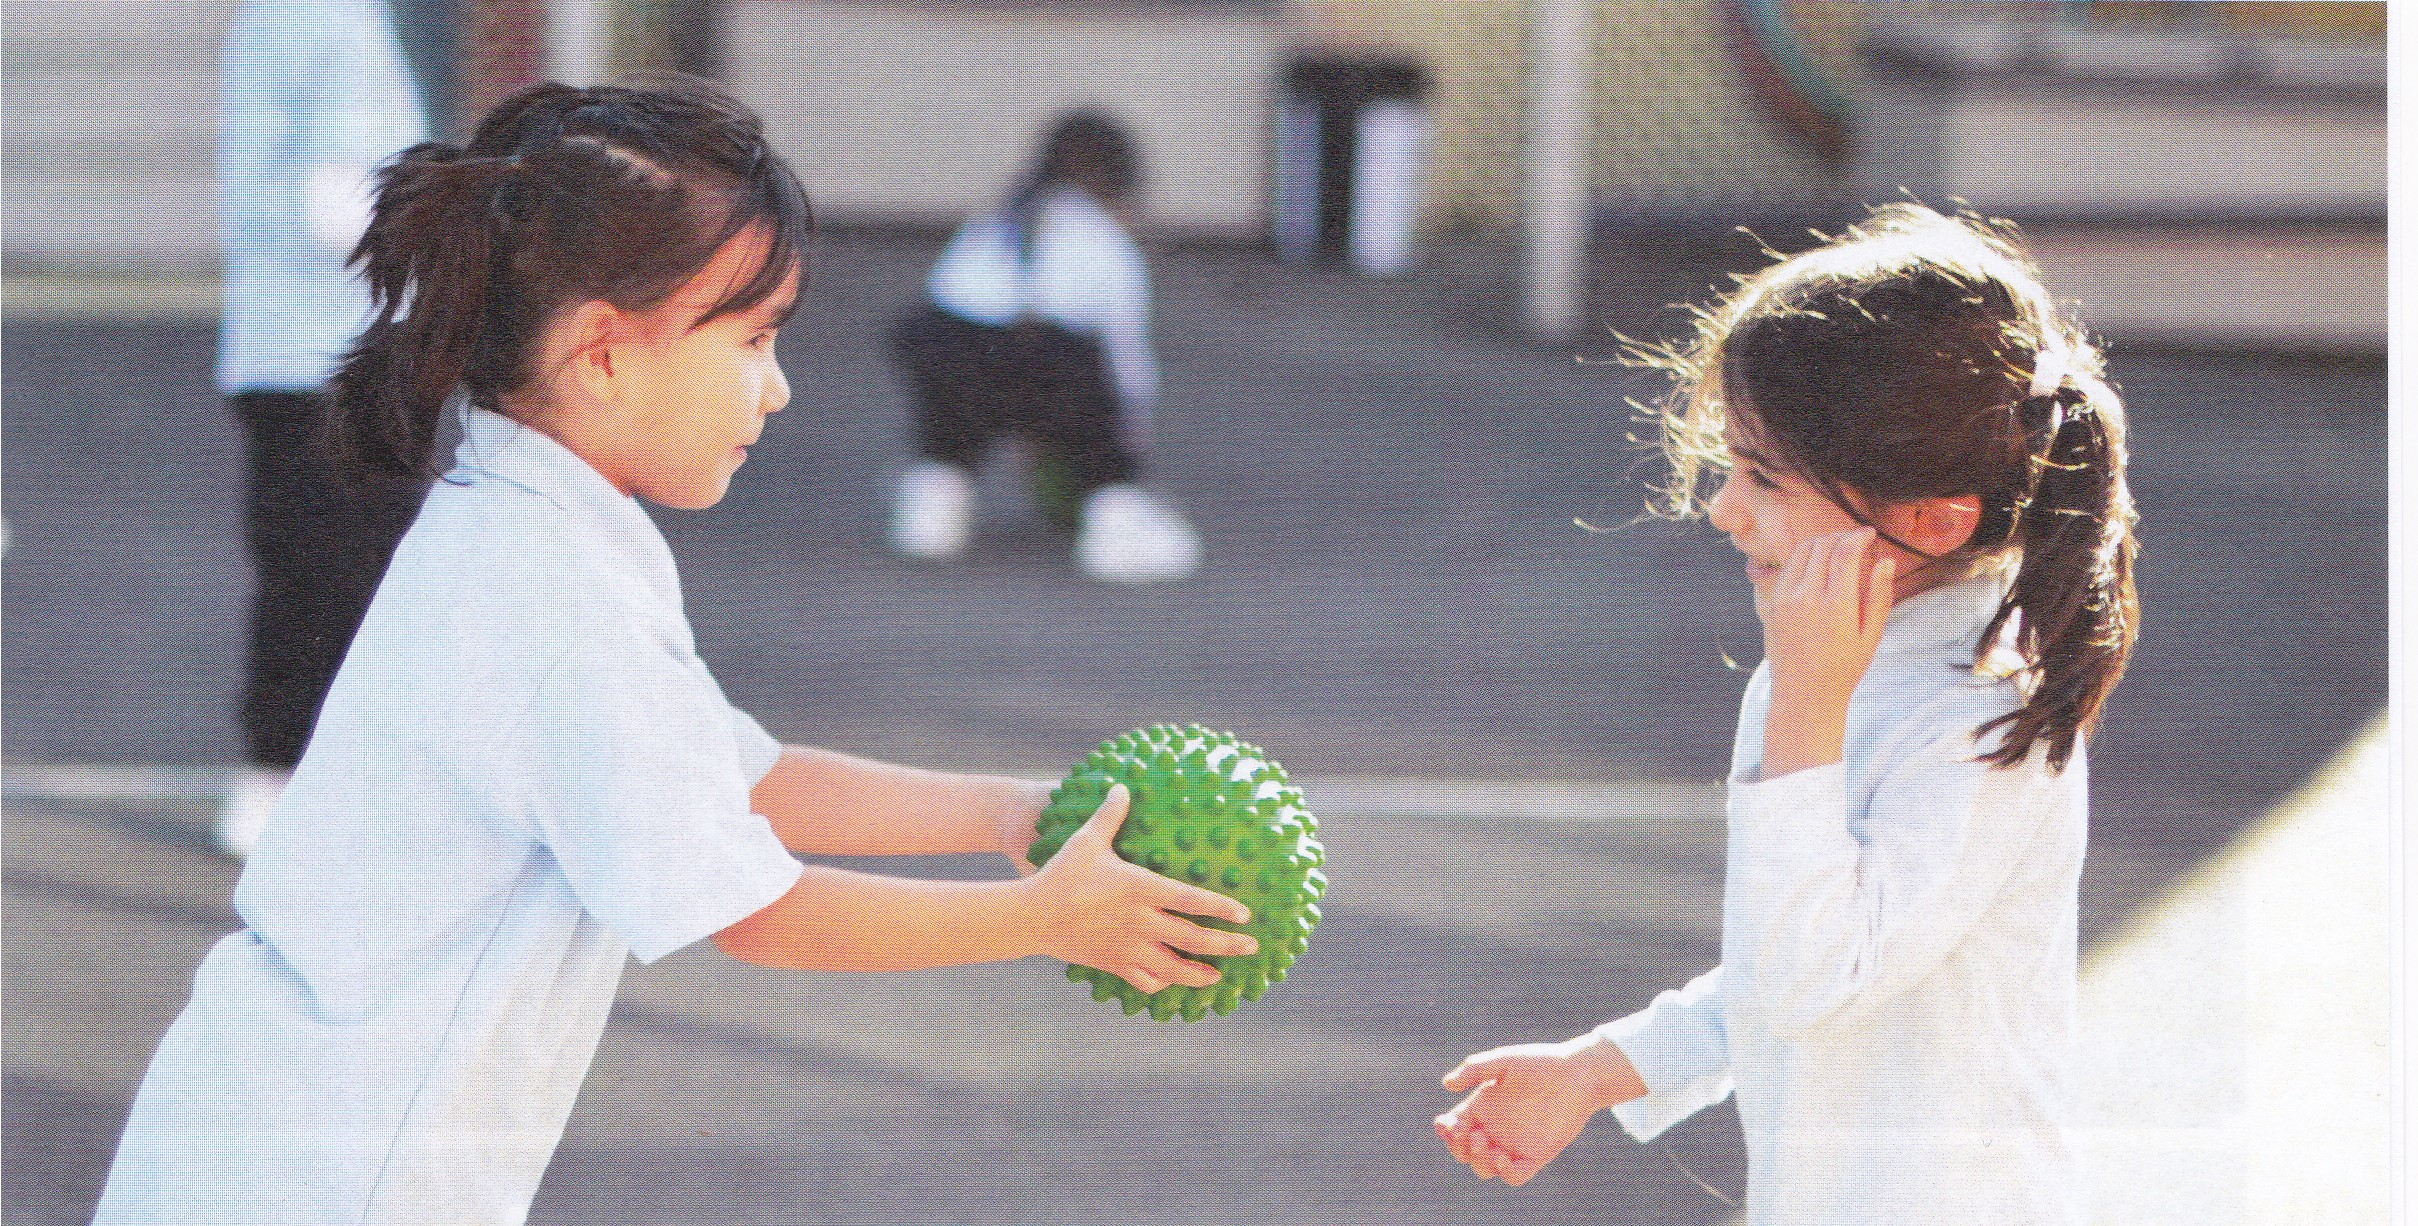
(1126, 920)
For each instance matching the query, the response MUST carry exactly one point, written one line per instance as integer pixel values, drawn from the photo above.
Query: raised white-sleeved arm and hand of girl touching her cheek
(1839, 923)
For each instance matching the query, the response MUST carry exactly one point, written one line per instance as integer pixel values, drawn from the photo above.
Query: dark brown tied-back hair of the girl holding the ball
(562, 197)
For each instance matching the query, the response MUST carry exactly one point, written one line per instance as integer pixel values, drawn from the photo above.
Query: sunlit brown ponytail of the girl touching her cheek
(2073, 606)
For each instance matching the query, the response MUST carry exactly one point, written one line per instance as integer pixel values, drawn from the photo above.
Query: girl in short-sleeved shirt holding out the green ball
(523, 773)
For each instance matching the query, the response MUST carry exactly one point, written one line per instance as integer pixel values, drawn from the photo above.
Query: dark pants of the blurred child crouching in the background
(976, 383)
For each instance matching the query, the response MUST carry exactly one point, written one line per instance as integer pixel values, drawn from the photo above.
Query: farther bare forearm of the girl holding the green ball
(831, 804)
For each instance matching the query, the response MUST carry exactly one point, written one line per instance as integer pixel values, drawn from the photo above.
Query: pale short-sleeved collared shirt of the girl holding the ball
(521, 780)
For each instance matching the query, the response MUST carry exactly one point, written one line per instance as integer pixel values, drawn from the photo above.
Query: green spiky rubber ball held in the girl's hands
(1213, 811)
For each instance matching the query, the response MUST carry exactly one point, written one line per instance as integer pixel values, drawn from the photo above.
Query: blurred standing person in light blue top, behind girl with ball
(313, 98)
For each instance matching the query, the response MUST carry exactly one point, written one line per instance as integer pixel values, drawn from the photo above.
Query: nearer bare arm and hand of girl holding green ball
(1087, 908)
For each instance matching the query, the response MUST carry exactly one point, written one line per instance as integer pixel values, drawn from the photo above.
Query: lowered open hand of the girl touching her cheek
(1527, 1104)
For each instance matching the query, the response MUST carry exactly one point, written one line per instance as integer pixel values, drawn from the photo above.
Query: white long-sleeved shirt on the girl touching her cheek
(1897, 990)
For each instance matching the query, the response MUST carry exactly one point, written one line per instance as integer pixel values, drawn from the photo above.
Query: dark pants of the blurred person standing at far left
(320, 543)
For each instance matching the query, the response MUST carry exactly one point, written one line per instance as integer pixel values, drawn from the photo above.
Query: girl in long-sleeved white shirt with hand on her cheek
(1926, 470)
